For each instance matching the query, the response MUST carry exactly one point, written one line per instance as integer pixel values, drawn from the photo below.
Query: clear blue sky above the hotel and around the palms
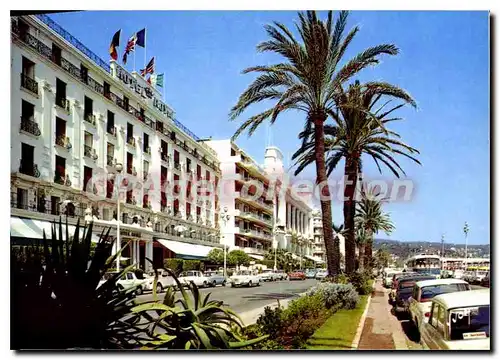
(443, 63)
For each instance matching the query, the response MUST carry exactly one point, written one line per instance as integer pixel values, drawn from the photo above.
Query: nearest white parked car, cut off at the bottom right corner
(458, 321)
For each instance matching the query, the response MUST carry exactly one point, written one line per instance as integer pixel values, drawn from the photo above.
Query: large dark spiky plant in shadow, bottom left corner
(56, 299)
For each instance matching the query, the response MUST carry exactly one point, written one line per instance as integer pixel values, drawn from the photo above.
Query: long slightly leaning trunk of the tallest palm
(331, 244)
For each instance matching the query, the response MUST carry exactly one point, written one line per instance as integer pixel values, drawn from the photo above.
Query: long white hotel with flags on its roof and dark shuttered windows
(74, 117)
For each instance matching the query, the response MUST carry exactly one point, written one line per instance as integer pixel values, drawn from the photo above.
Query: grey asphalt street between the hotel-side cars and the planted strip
(246, 299)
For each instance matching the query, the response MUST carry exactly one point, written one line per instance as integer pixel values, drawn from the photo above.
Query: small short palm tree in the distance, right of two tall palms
(371, 218)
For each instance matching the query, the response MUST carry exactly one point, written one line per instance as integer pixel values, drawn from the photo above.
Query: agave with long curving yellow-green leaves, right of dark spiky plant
(191, 322)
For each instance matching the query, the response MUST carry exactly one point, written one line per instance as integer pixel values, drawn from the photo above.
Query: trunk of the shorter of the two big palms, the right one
(351, 177)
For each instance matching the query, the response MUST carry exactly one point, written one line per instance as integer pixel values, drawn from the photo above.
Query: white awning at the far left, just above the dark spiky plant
(33, 229)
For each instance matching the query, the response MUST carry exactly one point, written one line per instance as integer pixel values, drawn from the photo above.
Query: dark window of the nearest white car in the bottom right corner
(470, 323)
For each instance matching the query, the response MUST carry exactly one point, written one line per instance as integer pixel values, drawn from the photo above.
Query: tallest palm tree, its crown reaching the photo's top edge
(307, 81)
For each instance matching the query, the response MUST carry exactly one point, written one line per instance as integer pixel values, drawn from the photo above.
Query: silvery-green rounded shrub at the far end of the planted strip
(338, 296)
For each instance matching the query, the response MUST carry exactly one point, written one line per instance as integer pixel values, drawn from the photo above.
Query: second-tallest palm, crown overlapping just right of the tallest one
(359, 129)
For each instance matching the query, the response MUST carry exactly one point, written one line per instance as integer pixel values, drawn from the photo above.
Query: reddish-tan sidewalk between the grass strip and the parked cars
(382, 330)
